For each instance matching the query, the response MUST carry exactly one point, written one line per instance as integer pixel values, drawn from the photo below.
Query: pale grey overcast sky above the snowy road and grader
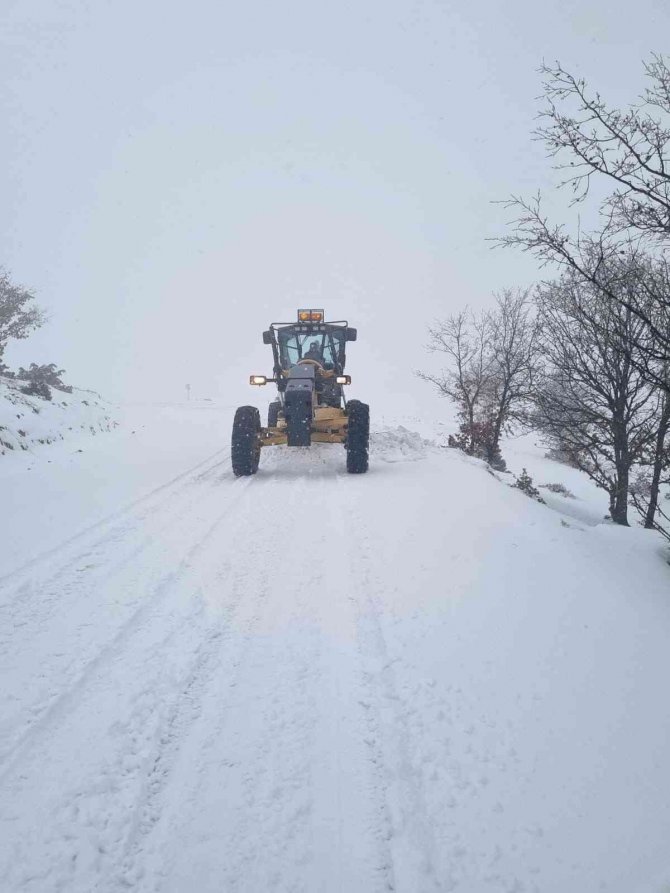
(174, 176)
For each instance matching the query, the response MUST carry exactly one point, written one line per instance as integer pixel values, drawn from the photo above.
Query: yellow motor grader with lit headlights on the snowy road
(309, 356)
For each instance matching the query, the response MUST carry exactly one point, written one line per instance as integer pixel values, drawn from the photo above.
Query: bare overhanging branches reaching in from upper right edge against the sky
(630, 149)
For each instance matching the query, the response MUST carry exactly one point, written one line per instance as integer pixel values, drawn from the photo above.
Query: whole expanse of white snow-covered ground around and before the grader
(414, 680)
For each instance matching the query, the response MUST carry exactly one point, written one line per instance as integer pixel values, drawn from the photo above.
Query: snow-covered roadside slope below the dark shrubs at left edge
(29, 422)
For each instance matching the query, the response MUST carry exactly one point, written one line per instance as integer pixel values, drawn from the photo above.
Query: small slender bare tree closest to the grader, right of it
(463, 339)
